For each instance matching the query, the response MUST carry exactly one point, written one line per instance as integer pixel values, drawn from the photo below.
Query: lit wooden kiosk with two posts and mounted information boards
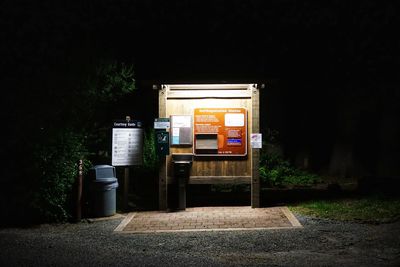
(213, 123)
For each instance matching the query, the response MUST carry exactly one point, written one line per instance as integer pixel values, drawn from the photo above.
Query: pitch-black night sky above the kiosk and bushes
(323, 61)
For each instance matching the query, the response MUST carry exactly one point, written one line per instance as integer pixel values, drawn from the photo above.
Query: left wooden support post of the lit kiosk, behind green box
(162, 176)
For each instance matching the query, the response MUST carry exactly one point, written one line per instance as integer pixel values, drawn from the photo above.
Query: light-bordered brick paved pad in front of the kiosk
(209, 218)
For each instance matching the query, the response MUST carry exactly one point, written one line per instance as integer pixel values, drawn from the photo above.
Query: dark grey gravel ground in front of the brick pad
(319, 243)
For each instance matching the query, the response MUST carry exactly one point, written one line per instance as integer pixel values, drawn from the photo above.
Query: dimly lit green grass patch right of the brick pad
(368, 209)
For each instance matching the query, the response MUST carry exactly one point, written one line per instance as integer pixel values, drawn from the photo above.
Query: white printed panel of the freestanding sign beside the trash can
(127, 146)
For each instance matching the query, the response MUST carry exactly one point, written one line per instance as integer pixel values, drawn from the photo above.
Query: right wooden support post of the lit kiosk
(255, 152)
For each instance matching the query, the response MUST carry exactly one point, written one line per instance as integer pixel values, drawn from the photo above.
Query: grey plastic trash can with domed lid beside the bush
(103, 188)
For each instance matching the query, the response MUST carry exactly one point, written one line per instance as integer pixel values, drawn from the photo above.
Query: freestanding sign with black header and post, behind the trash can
(127, 149)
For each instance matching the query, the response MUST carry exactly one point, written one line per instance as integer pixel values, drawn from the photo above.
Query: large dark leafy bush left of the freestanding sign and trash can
(74, 120)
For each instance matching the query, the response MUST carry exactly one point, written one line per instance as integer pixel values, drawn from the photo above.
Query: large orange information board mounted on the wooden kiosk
(220, 131)
